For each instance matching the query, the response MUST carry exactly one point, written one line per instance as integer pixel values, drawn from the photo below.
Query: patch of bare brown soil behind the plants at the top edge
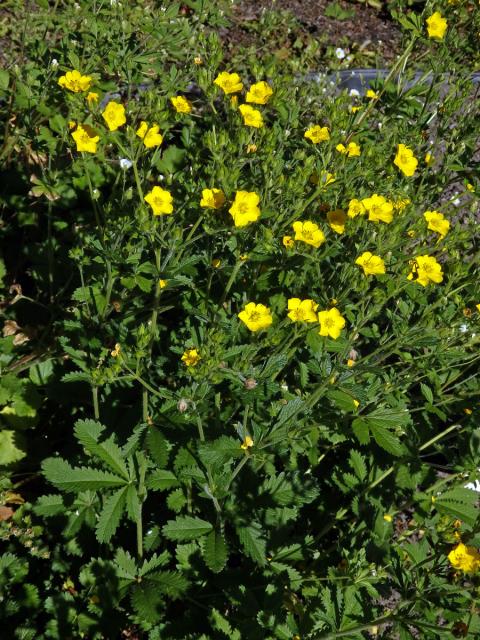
(367, 28)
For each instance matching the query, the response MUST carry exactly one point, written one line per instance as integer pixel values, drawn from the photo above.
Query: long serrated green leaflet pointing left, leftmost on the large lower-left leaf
(74, 480)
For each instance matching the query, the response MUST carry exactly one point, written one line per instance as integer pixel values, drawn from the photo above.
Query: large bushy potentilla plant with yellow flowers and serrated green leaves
(276, 311)
